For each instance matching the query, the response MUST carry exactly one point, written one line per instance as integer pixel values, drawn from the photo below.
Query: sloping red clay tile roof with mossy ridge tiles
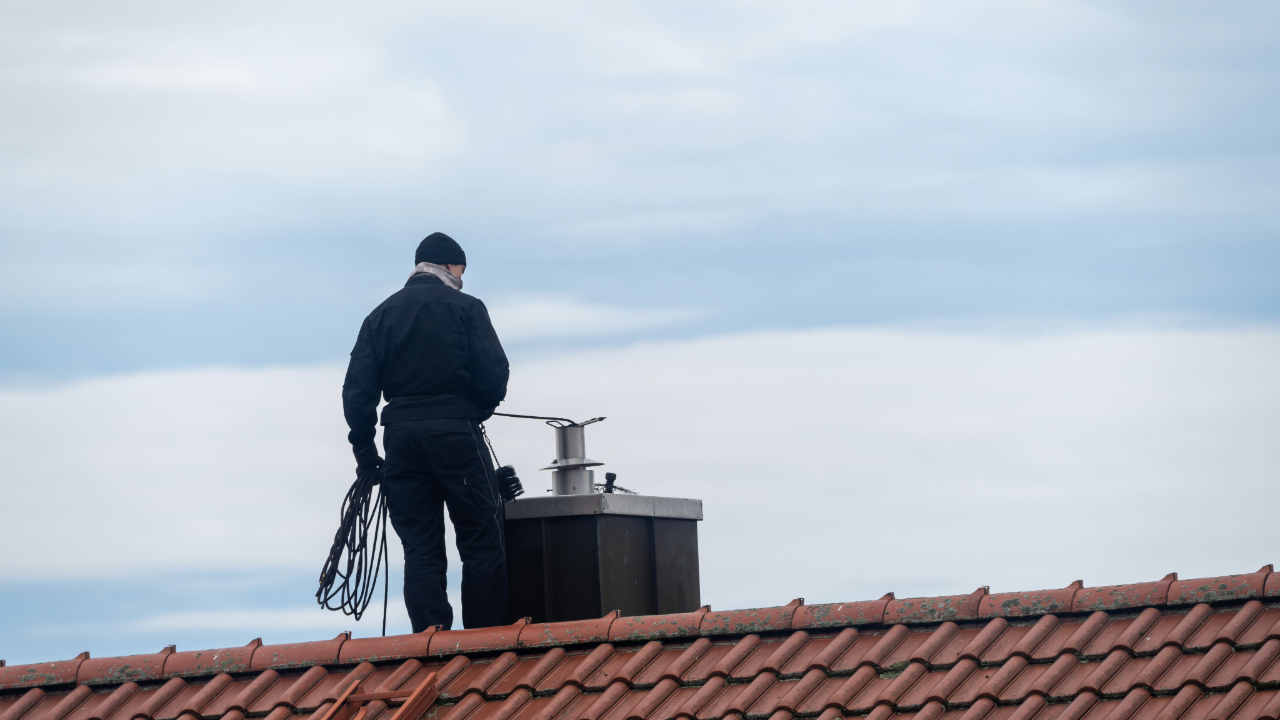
(1167, 650)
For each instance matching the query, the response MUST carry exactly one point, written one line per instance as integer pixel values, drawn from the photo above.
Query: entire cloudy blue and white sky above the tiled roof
(1018, 259)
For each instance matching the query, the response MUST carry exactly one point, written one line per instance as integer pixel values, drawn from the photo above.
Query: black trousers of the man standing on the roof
(432, 464)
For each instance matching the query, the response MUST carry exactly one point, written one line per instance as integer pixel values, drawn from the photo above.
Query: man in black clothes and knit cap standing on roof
(433, 353)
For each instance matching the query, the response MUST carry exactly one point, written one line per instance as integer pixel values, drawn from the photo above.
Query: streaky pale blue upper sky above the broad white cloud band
(230, 185)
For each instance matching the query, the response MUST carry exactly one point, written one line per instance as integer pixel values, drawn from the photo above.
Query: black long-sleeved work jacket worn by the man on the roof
(432, 352)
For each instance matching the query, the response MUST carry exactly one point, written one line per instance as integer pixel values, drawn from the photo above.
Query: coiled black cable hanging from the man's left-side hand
(353, 549)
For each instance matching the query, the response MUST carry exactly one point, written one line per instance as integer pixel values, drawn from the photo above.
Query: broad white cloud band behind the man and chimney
(834, 464)
